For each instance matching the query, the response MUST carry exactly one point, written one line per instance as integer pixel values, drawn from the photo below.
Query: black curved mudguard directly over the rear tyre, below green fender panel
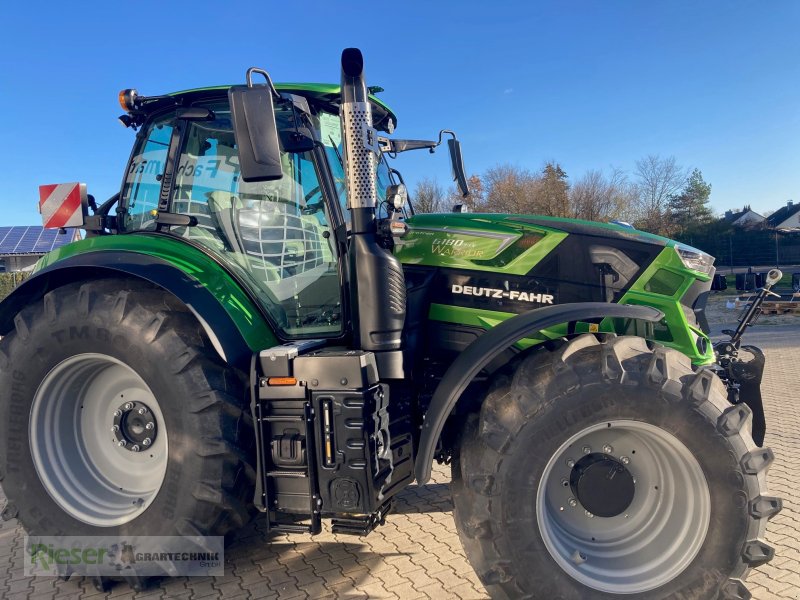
(222, 328)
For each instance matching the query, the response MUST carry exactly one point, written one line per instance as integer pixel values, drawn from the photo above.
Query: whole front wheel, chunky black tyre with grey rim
(608, 469)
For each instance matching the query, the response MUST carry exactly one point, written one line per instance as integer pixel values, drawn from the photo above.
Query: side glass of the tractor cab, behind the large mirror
(275, 235)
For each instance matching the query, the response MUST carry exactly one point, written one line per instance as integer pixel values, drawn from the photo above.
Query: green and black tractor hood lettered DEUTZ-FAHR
(476, 270)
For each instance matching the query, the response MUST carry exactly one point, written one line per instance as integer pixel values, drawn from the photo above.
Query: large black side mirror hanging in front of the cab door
(255, 130)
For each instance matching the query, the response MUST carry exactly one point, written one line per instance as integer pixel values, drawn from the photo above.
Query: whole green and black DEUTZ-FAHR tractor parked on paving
(263, 326)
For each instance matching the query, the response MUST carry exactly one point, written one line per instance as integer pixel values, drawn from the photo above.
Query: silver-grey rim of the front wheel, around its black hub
(654, 538)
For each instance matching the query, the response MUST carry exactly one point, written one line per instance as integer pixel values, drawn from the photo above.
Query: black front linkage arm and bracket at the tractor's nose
(743, 376)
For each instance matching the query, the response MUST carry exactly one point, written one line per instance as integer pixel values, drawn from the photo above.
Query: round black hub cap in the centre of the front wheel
(602, 484)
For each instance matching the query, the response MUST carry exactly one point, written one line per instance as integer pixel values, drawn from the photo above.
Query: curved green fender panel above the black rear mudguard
(248, 319)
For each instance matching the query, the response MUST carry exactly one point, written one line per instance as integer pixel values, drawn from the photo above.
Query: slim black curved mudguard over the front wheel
(489, 345)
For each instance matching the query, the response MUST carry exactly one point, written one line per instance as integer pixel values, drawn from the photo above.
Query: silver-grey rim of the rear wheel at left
(87, 464)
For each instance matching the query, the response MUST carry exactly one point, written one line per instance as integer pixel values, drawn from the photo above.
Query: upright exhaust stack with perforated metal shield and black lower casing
(377, 285)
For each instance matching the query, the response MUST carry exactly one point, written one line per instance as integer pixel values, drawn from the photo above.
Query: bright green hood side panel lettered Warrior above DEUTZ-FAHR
(475, 242)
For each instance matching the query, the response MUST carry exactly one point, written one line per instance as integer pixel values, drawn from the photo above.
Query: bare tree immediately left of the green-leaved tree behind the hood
(657, 180)
